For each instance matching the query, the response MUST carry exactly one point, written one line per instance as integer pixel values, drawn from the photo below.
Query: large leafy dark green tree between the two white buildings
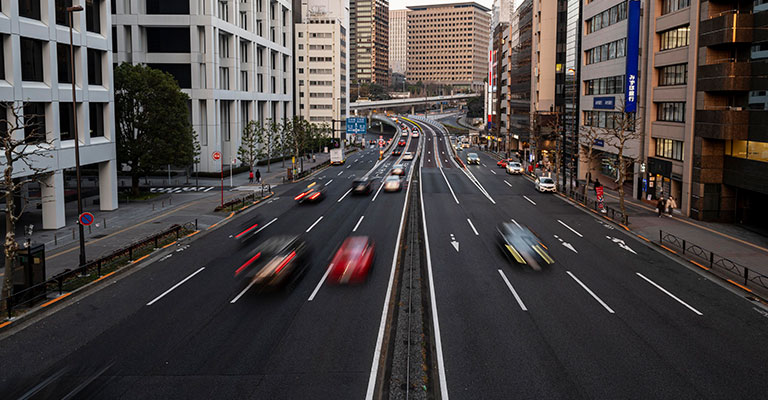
(153, 126)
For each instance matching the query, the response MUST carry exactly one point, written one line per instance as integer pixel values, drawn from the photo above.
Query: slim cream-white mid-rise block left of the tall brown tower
(322, 62)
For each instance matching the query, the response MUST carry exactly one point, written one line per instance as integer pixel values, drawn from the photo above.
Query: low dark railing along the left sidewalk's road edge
(96, 270)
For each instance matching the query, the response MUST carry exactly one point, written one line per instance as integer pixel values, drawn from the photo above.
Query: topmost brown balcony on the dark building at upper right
(729, 27)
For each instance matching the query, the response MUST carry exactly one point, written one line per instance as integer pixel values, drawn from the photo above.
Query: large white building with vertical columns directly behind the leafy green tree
(233, 58)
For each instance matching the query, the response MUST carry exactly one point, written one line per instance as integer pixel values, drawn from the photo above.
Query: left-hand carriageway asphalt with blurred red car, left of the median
(205, 338)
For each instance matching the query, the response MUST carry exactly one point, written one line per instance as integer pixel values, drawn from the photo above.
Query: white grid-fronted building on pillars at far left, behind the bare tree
(35, 73)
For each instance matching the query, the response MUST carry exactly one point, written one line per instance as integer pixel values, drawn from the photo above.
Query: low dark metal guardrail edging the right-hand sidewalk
(749, 277)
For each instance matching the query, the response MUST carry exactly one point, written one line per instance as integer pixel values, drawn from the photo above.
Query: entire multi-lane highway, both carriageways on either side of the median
(611, 318)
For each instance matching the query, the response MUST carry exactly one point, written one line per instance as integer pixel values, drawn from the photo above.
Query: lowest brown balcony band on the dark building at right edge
(732, 124)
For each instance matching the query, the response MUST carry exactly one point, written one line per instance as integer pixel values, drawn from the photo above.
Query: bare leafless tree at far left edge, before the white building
(24, 145)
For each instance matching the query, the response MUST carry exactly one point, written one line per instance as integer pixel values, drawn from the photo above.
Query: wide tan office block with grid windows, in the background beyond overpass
(448, 44)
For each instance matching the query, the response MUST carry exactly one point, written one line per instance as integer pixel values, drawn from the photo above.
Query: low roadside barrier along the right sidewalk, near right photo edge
(733, 272)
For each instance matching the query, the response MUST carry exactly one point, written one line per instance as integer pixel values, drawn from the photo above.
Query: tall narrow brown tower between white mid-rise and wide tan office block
(369, 38)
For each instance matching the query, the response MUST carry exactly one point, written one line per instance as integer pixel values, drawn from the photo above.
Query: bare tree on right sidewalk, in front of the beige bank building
(623, 132)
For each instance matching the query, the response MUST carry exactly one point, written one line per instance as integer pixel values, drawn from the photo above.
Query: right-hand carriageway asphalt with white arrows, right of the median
(601, 322)
